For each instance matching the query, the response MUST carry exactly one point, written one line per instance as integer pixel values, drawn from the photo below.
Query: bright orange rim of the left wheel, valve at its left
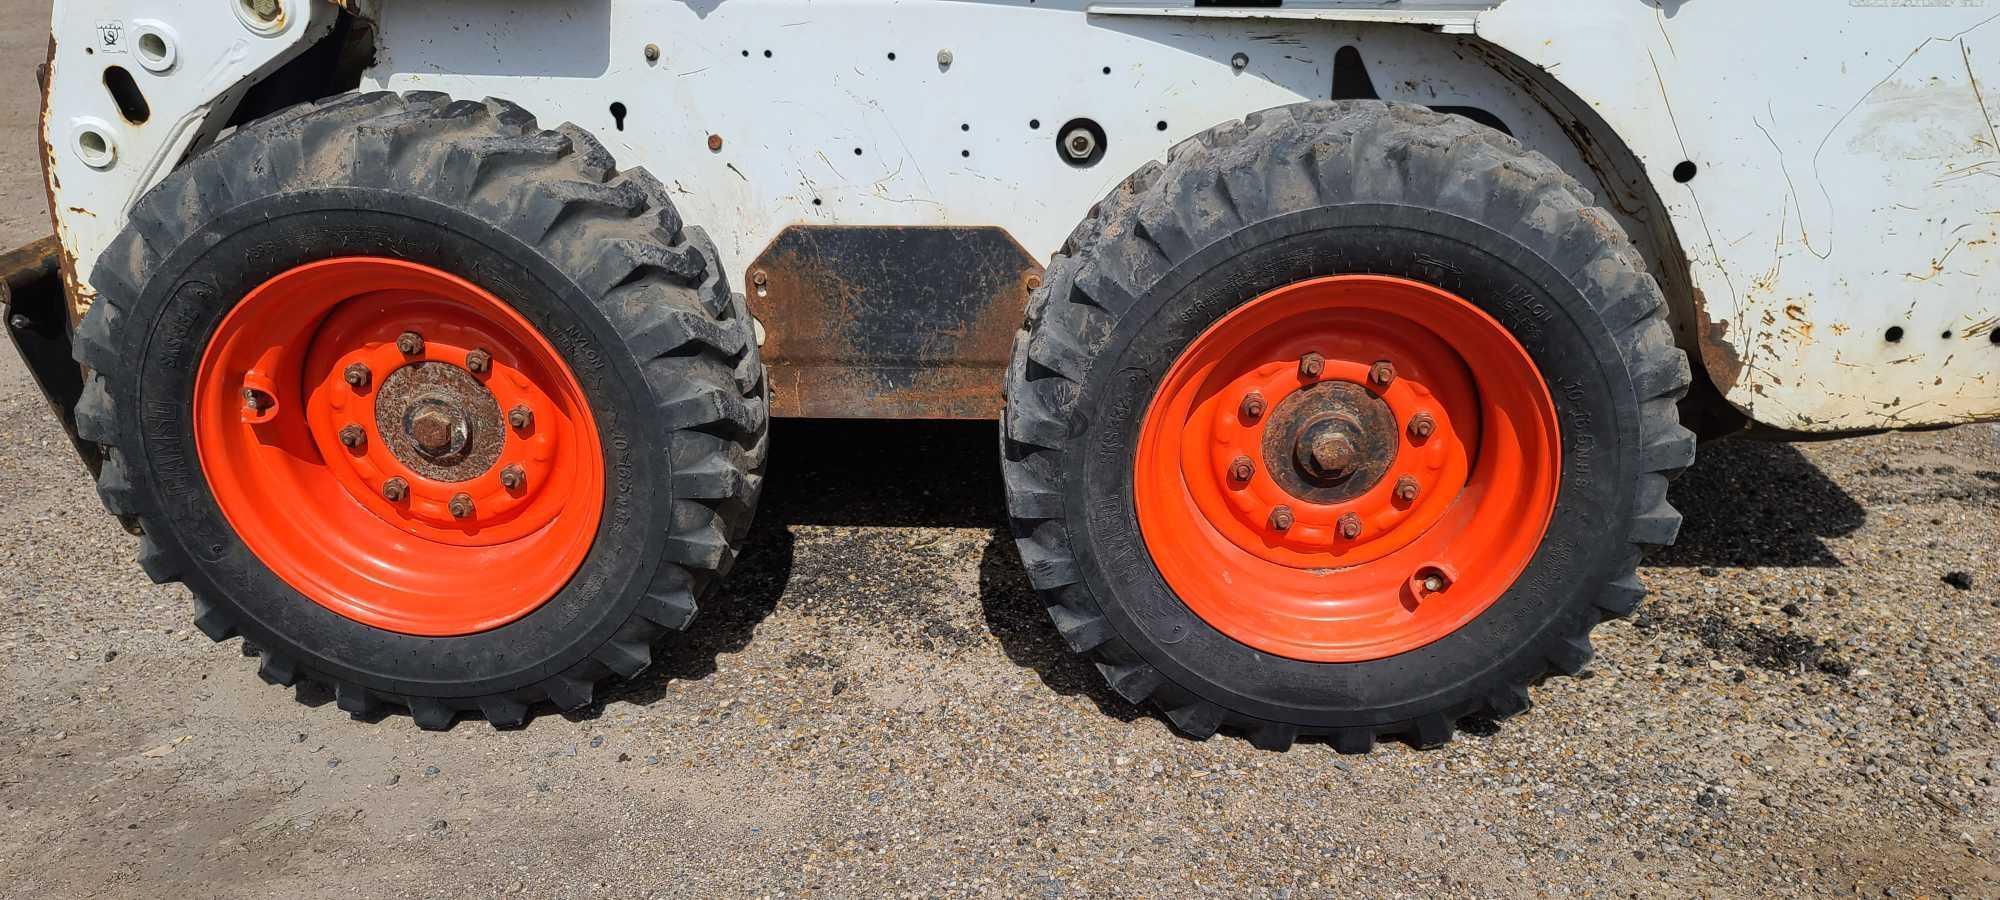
(433, 487)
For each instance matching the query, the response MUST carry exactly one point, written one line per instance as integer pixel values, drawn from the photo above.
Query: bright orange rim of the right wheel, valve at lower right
(1313, 503)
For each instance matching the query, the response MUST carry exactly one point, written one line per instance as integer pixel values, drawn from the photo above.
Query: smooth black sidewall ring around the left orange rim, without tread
(193, 289)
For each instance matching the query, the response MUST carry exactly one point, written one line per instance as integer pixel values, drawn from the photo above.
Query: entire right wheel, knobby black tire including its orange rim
(1399, 229)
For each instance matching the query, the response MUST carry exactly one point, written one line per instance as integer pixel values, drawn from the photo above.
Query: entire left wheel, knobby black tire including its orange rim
(433, 407)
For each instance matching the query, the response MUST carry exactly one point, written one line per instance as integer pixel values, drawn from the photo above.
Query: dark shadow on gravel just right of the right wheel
(1757, 505)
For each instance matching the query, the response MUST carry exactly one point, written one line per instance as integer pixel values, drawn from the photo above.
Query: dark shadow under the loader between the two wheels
(877, 475)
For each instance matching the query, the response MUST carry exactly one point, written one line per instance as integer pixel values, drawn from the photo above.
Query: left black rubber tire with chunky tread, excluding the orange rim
(593, 257)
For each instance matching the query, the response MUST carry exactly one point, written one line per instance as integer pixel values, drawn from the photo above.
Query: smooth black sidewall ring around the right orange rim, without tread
(1509, 643)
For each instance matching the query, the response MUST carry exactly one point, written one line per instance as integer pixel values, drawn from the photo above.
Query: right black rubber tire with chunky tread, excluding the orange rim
(1301, 193)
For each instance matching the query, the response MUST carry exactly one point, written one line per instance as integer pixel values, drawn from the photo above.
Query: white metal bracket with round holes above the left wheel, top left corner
(201, 67)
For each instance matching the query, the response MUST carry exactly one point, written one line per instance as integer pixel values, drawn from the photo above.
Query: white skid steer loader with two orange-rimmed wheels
(1341, 351)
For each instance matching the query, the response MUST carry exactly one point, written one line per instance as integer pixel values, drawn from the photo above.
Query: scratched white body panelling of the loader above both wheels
(1849, 169)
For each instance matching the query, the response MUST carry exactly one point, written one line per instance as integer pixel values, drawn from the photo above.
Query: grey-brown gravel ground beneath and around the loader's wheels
(877, 707)
